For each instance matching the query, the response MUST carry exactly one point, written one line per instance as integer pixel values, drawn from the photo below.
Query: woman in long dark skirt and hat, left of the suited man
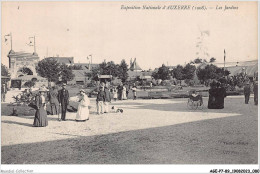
(40, 119)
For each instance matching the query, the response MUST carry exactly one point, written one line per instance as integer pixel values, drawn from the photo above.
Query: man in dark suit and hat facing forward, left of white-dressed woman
(63, 97)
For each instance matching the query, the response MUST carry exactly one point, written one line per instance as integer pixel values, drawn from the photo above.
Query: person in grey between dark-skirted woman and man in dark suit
(53, 97)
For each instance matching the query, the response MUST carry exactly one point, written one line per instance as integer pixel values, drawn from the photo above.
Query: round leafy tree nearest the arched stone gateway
(49, 68)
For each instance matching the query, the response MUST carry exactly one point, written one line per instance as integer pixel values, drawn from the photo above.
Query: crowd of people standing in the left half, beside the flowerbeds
(59, 101)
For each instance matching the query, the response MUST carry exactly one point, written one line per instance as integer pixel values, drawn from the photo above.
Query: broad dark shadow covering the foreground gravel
(216, 141)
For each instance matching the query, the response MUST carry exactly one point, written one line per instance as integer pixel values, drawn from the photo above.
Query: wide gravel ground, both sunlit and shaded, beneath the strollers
(148, 132)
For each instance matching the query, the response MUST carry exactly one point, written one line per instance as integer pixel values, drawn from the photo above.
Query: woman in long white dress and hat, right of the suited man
(83, 111)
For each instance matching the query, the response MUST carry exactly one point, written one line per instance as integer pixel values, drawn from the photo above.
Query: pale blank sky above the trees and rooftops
(153, 37)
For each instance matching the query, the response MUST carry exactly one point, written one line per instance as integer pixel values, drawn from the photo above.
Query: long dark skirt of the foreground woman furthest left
(40, 119)
